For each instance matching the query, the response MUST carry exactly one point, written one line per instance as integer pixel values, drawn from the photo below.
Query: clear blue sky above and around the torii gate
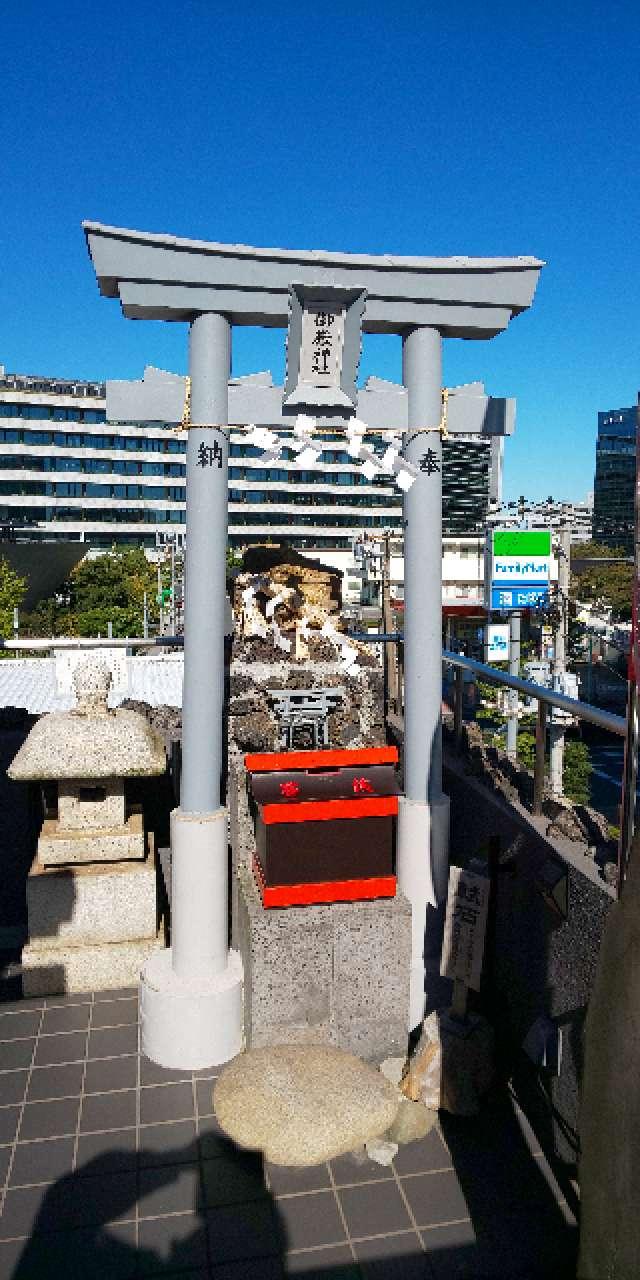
(381, 127)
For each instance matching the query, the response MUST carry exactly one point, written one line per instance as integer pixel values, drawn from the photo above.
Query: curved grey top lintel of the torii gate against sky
(159, 277)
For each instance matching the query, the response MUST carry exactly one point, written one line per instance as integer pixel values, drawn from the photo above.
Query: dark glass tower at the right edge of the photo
(615, 478)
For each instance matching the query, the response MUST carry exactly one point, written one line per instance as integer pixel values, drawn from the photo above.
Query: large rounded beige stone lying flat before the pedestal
(303, 1104)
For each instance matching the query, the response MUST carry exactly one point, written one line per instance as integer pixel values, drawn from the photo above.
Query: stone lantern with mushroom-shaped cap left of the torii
(92, 892)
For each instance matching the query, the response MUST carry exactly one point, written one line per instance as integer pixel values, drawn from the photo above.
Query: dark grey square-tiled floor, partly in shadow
(116, 1168)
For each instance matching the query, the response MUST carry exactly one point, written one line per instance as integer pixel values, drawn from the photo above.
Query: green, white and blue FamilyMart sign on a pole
(520, 564)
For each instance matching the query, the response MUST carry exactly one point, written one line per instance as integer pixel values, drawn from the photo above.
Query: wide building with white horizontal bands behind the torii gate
(68, 474)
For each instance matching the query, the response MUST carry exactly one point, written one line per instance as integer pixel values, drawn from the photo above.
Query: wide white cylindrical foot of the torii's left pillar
(191, 1025)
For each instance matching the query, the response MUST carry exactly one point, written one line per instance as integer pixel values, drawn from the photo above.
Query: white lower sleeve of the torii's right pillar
(423, 875)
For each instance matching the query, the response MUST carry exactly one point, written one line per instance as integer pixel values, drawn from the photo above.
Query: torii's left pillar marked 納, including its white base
(191, 995)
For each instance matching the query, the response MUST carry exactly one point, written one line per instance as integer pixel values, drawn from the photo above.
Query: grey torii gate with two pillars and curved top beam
(193, 994)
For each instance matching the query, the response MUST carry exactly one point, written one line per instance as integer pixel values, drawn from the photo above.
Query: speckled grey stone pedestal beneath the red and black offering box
(336, 975)
